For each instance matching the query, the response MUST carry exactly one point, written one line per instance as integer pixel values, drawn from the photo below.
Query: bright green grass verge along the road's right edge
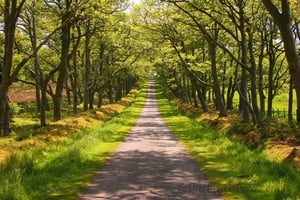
(235, 170)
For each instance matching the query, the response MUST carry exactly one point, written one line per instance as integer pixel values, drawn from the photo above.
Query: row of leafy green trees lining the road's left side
(111, 64)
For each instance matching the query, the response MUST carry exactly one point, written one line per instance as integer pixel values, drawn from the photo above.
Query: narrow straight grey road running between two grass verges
(150, 164)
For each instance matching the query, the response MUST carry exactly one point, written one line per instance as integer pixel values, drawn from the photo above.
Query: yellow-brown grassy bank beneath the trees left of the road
(28, 134)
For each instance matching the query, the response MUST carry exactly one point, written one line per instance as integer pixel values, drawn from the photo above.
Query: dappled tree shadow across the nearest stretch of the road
(150, 175)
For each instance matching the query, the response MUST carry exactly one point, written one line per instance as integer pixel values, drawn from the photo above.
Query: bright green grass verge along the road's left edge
(61, 170)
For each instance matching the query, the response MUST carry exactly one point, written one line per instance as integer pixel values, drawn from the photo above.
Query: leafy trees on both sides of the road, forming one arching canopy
(205, 52)
